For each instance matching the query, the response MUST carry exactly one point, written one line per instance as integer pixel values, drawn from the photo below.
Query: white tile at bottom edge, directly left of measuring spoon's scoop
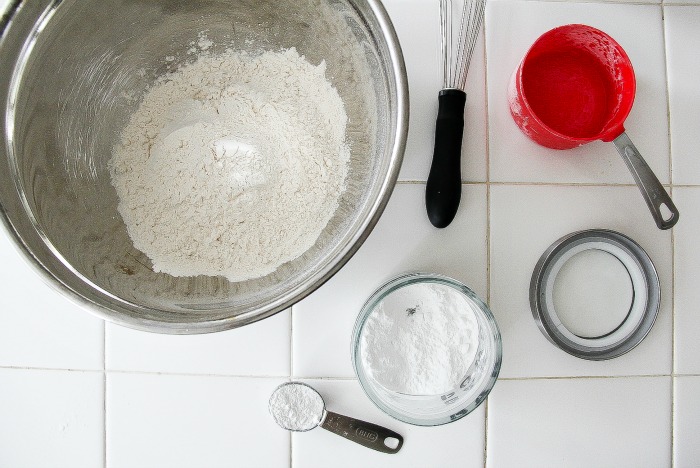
(186, 421)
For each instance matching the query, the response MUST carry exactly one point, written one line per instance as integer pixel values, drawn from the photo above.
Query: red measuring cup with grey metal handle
(576, 85)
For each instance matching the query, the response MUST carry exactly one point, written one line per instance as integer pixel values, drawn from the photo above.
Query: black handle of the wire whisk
(444, 188)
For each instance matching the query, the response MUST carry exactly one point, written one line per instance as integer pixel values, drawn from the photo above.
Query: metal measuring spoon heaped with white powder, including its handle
(283, 406)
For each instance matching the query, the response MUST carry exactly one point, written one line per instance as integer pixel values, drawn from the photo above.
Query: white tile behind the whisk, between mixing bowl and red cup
(417, 24)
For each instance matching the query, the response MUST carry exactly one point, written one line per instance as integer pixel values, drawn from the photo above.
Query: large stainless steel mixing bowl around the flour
(71, 72)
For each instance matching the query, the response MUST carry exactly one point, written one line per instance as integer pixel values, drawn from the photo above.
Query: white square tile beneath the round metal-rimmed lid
(525, 221)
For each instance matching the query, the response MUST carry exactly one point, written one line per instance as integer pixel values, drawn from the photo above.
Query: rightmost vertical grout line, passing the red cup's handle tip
(673, 243)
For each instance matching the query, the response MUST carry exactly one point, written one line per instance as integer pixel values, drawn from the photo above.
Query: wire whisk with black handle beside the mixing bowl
(444, 188)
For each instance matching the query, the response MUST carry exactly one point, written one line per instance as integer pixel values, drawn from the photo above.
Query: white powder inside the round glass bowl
(420, 340)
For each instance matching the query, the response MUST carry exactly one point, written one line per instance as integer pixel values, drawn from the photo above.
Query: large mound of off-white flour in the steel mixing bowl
(232, 165)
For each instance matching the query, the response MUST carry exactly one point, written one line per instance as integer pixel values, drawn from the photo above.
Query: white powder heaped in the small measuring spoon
(296, 407)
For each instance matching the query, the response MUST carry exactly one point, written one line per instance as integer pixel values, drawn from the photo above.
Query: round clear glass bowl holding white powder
(434, 410)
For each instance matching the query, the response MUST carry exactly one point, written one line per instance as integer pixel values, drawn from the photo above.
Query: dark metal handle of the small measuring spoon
(364, 433)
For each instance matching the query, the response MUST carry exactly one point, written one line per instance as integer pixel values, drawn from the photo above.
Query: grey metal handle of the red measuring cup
(653, 192)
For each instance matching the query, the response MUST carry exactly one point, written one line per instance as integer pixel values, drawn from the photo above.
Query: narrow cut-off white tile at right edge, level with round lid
(687, 265)
